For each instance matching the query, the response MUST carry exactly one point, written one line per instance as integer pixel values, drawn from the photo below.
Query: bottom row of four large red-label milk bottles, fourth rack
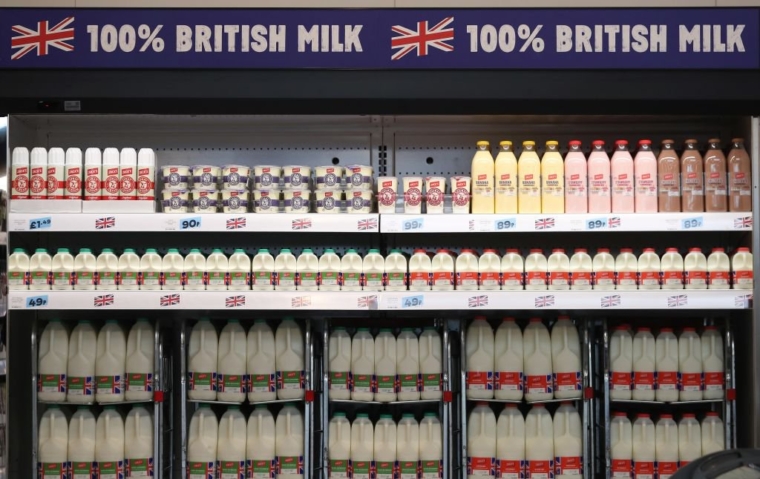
(535, 446)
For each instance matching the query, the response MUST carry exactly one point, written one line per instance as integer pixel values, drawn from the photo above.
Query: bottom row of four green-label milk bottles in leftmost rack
(85, 447)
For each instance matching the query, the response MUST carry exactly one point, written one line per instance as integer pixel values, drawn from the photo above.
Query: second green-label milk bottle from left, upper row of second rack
(231, 378)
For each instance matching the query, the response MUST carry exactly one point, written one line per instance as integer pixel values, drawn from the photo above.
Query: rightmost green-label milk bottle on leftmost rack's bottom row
(138, 443)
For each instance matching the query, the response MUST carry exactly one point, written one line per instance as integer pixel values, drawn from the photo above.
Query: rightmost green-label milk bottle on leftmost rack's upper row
(140, 362)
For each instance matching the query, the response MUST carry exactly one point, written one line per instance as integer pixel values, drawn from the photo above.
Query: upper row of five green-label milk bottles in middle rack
(385, 368)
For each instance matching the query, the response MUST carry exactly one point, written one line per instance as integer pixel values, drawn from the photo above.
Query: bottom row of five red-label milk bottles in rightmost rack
(648, 450)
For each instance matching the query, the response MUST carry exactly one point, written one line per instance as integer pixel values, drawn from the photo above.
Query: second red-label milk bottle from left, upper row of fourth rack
(508, 362)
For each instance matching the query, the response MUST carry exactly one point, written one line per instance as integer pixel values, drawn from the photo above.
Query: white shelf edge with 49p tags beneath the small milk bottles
(386, 301)
